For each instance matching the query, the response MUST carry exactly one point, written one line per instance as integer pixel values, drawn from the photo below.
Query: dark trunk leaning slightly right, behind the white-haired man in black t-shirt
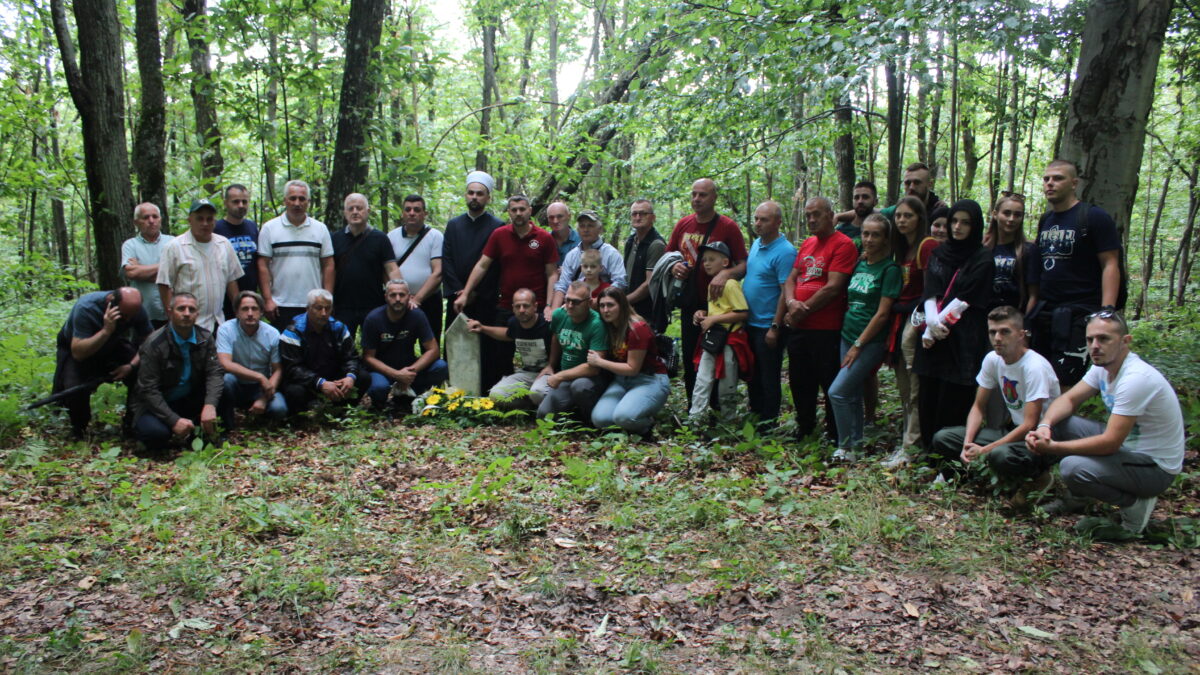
(361, 93)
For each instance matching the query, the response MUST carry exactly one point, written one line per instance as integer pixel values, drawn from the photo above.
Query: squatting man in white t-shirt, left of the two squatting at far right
(1028, 384)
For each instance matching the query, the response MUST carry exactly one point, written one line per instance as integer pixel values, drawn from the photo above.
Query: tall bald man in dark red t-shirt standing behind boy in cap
(691, 234)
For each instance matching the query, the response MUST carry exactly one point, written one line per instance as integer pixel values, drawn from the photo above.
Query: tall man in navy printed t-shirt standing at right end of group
(1078, 271)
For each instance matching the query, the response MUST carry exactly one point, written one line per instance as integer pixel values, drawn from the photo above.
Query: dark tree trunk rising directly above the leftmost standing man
(151, 141)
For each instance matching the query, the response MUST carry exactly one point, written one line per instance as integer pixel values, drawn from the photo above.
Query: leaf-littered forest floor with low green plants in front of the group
(405, 548)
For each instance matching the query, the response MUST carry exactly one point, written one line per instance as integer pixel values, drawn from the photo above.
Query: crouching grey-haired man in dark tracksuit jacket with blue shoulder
(320, 360)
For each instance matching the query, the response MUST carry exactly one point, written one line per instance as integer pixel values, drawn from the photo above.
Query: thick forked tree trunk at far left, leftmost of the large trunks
(98, 89)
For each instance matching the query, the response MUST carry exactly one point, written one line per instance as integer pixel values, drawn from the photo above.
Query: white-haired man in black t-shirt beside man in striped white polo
(364, 261)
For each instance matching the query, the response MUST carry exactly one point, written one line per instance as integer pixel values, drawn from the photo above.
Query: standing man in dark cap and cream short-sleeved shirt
(201, 264)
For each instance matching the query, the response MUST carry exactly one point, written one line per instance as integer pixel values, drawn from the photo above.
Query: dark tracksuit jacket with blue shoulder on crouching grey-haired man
(309, 357)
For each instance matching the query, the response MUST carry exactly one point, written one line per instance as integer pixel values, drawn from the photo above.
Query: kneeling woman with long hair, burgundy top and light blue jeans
(640, 386)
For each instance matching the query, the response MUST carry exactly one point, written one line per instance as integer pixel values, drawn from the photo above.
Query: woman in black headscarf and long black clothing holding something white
(952, 351)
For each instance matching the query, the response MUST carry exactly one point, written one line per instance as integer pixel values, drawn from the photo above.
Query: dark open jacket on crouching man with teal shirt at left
(161, 366)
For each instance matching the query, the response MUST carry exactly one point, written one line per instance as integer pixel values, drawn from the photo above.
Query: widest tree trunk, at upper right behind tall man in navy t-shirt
(1113, 93)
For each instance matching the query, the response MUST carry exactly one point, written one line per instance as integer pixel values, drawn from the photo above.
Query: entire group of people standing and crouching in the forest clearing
(571, 325)
